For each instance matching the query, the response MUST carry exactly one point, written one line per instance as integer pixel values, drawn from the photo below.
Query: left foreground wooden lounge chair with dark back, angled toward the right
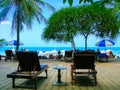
(29, 67)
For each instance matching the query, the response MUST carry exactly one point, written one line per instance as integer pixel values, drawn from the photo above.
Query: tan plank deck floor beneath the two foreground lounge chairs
(108, 77)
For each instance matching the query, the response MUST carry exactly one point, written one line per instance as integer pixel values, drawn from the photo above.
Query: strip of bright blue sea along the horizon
(116, 50)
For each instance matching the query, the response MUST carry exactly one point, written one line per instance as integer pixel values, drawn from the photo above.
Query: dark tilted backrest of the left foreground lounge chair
(28, 61)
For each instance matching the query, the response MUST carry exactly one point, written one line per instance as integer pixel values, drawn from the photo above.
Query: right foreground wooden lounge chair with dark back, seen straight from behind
(83, 64)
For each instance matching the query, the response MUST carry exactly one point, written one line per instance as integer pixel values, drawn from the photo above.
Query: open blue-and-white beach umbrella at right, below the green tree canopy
(105, 43)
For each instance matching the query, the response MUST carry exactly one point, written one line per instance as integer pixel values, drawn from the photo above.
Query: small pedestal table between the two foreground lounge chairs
(59, 82)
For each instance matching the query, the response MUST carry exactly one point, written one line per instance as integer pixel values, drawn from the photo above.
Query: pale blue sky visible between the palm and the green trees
(32, 37)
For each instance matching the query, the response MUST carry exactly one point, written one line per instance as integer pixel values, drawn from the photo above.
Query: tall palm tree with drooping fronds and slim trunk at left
(24, 12)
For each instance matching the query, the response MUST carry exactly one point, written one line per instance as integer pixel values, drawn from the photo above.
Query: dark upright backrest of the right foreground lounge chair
(84, 60)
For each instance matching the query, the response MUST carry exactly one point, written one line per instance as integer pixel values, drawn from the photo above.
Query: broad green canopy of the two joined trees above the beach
(94, 19)
